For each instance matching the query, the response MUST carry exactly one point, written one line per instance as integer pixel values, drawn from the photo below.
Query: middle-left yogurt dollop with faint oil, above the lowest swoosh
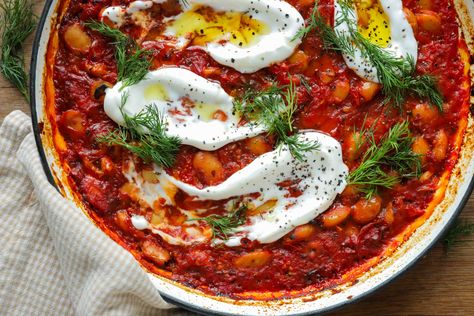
(189, 103)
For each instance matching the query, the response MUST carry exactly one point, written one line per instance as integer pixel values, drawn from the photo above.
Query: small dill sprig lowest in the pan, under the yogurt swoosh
(223, 225)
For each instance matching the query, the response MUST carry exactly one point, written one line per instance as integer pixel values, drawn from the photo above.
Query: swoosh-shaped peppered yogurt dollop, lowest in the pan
(319, 178)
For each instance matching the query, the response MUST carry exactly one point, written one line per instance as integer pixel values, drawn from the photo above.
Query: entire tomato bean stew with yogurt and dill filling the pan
(258, 149)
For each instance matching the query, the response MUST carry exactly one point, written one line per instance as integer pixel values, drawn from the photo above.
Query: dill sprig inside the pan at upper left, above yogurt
(132, 61)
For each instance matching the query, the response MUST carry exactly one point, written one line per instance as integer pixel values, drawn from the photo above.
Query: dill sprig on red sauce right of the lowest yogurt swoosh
(394, 153)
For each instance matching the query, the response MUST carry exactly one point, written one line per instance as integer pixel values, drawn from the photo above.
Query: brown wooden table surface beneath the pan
(439, 284)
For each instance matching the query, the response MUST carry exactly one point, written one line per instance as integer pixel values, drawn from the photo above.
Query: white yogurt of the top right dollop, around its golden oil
(402, 42)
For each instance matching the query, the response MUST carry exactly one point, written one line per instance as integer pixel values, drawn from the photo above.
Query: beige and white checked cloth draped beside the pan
(53, 261)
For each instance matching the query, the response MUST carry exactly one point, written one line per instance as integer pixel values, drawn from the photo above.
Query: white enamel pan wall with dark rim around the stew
(459, 188)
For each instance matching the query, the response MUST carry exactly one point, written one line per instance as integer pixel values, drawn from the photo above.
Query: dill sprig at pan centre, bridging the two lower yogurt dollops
(274, 108)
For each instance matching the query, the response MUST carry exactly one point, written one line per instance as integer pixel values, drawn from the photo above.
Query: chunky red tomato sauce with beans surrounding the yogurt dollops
(337, 102)
